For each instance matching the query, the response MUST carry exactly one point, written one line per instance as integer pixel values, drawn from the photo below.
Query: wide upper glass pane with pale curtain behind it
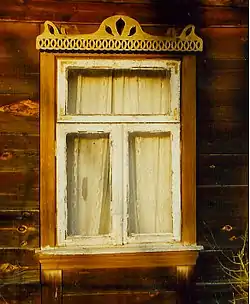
(94, 91)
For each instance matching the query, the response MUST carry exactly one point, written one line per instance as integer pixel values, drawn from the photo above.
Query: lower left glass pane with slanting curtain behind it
(89, 174)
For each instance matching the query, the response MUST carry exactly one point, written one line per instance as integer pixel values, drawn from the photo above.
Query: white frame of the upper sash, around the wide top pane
(64, 65)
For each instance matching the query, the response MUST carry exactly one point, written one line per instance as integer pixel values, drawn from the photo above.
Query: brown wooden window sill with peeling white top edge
(118, 257)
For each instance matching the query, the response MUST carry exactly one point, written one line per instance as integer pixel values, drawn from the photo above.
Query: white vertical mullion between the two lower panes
(117, 182)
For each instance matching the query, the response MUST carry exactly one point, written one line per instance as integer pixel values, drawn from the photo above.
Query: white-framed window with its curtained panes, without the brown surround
(118, 152)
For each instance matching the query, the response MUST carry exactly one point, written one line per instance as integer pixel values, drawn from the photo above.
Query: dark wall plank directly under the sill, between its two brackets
(110, 279)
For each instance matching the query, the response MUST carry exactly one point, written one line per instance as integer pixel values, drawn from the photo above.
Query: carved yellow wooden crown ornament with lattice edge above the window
(118, 34)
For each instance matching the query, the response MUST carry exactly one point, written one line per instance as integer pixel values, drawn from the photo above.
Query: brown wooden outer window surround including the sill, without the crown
(50, 255)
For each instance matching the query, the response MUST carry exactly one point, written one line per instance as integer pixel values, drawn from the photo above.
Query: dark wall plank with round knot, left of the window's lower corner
(19, 229)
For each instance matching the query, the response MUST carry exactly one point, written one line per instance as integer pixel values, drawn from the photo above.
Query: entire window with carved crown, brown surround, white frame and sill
(117, 148)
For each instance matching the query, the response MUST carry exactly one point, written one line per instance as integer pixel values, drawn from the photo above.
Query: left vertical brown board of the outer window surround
(47, 150)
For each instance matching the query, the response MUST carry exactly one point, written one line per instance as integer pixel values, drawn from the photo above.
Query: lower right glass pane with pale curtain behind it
(150, 209)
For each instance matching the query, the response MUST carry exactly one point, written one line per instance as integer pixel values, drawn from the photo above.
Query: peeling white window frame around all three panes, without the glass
(118, 126)
